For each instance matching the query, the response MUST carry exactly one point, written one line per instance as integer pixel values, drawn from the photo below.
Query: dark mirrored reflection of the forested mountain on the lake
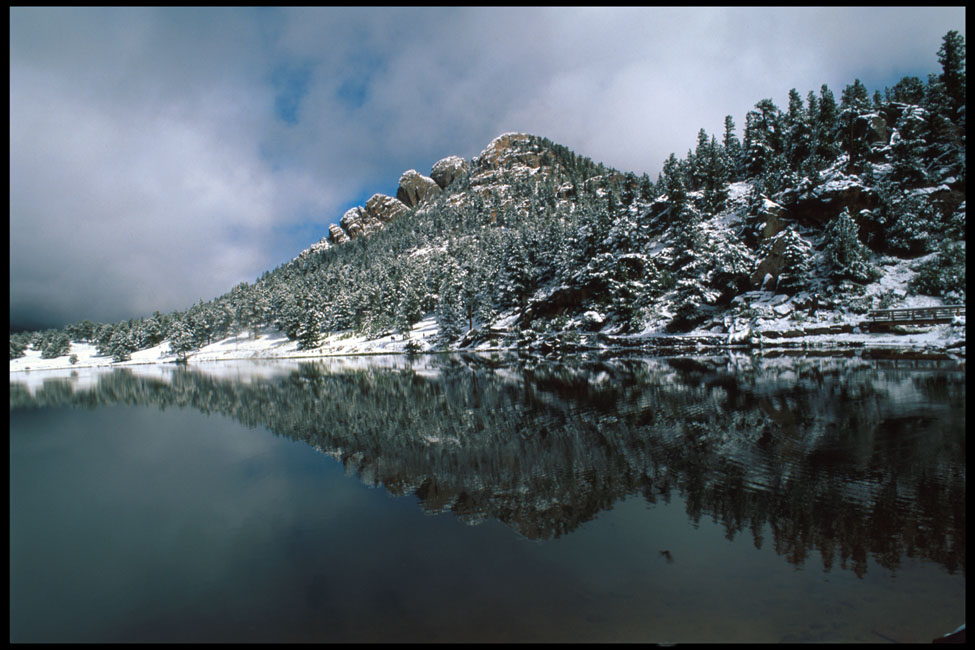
(840, 458)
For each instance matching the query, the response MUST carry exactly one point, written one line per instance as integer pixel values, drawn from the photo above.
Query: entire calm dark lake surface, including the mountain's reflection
(724, 499)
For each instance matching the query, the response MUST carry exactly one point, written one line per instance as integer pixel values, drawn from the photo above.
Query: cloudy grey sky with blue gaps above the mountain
(161, 156)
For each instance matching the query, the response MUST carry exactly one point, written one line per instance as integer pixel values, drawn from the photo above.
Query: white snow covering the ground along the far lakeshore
(771, 312)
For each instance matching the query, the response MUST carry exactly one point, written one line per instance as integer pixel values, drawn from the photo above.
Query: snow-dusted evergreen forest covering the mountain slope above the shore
(579, 245)
